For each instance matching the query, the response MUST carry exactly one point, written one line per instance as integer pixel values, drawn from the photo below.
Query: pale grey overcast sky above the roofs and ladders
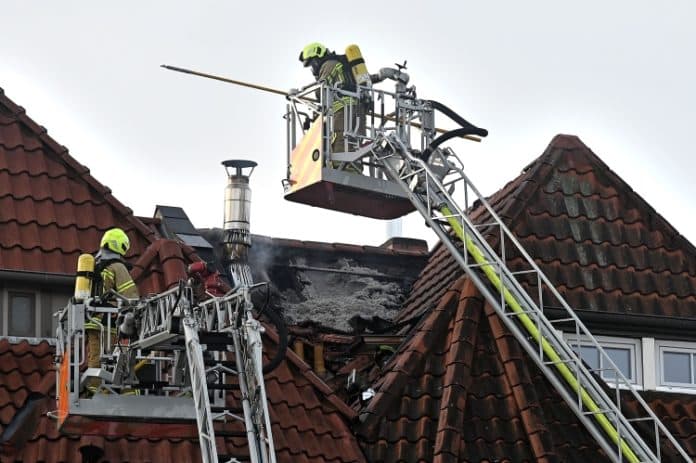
(619, 74)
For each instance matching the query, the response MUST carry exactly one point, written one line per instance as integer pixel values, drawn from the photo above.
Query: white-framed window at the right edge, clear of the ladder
(677, 364)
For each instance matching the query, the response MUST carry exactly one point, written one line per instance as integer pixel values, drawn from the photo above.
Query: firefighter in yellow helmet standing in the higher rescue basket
(334, 70)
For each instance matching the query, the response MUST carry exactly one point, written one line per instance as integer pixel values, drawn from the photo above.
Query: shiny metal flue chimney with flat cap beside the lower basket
(236, 237)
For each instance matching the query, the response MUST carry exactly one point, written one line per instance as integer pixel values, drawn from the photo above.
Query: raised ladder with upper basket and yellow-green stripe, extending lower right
(393, 160)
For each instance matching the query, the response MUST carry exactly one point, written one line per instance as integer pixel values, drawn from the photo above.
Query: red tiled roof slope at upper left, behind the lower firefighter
(52, 209)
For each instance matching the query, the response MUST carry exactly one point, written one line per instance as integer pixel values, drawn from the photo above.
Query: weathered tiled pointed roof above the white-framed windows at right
(597, 240)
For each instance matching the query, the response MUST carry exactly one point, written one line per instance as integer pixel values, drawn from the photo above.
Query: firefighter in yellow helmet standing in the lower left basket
(110, 273)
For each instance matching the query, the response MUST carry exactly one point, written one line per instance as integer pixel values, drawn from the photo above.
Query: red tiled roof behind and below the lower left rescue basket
(310, 423)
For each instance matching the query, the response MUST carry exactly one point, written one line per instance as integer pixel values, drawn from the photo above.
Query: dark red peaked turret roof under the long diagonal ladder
(461, 389)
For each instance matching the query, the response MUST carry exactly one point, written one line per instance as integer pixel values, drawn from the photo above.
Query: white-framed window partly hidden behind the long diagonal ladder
(624, 352)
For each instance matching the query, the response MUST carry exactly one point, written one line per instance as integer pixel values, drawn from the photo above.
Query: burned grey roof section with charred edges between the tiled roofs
(333, 285)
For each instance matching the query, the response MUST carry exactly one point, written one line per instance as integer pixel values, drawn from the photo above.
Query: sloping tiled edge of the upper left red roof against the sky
(83, 172)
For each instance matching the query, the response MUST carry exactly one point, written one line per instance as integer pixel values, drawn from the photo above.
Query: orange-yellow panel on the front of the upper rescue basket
(306, 159)
